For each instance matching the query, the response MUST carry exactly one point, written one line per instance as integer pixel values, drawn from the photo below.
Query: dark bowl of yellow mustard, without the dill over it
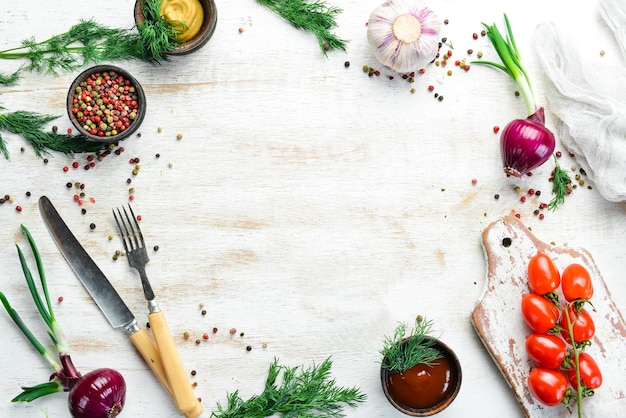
(193, 20)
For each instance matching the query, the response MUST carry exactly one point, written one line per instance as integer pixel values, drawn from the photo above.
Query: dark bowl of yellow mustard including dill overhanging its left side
(191, 23)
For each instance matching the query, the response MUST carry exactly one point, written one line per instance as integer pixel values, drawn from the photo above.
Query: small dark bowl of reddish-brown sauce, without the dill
(424, 390)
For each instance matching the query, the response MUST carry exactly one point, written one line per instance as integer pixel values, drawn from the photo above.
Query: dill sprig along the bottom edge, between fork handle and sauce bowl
(303, 392)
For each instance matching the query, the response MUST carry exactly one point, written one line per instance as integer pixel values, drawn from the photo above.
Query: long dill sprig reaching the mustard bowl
(90, 42)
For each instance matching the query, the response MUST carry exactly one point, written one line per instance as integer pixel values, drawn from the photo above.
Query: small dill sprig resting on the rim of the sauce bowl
(401, 352)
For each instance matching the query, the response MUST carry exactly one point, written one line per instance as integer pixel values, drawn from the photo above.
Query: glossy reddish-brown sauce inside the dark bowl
(423, 386)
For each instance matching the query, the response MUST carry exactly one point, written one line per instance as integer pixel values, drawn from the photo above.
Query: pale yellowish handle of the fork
(182, 391)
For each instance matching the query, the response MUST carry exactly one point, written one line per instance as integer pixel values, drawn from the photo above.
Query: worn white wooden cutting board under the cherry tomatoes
(508, 246)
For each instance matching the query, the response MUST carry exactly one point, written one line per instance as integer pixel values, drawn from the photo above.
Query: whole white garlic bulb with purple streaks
(404, 34)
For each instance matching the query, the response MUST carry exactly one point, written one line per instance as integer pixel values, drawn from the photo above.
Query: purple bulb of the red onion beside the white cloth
(525, 144)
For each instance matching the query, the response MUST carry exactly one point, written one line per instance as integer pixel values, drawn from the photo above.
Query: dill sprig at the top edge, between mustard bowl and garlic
(314, 16)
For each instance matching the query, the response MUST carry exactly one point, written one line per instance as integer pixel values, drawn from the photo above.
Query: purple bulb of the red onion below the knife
(100, 393)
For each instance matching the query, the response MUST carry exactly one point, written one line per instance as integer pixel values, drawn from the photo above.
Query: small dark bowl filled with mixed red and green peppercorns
(106, 103)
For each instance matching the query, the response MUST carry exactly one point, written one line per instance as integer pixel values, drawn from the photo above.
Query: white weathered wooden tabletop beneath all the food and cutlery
(307, 205)
